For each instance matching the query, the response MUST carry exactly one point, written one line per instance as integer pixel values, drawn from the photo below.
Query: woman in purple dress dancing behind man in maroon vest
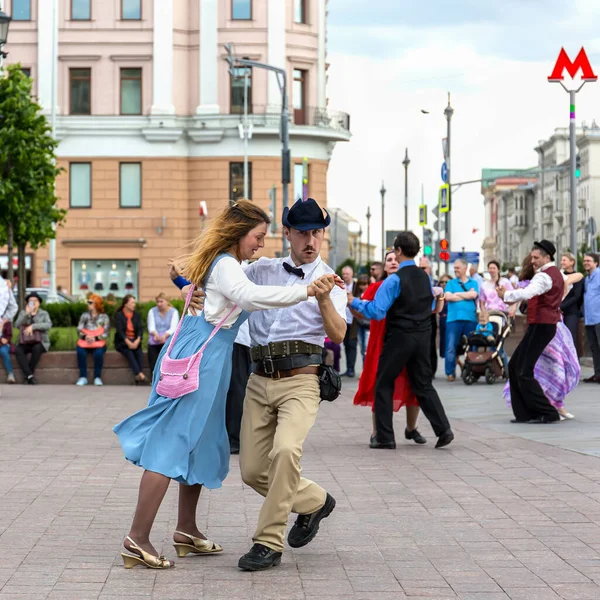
(557, 370)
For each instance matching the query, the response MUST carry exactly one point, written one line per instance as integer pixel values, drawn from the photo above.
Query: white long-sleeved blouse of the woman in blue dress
(228, 286)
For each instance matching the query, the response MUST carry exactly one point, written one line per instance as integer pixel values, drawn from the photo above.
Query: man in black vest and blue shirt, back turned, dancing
(405, 299)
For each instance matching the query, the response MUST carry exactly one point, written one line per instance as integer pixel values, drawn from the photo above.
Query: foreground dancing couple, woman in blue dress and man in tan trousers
(293, 303)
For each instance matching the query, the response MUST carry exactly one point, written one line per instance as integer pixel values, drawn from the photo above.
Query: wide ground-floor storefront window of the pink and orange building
(117, 277)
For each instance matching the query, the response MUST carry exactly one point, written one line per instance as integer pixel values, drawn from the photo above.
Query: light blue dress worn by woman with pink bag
(186, 438)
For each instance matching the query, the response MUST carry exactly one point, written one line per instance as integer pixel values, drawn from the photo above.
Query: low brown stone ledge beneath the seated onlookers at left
(61, 368)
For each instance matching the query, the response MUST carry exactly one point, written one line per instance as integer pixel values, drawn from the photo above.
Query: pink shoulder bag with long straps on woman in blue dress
(179, 376)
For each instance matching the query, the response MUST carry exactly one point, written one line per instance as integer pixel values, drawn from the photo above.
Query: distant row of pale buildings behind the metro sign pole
(546, 212)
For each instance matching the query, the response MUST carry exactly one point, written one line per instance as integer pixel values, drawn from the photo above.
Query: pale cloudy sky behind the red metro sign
(390, 59)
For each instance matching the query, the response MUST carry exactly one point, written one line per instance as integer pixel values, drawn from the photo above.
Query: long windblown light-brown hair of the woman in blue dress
(235, 222)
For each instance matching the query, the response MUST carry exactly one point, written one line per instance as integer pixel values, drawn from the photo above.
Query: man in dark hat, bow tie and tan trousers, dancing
(283, 395)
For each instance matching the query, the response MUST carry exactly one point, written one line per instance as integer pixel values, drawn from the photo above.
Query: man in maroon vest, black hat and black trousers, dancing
(544, 295)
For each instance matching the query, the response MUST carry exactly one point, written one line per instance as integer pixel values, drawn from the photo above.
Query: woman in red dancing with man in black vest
(403, 396)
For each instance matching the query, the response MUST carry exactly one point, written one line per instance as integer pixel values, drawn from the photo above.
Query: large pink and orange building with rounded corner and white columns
(148, 118)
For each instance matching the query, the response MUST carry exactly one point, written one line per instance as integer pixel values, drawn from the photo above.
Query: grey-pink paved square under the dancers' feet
(491, 517)
